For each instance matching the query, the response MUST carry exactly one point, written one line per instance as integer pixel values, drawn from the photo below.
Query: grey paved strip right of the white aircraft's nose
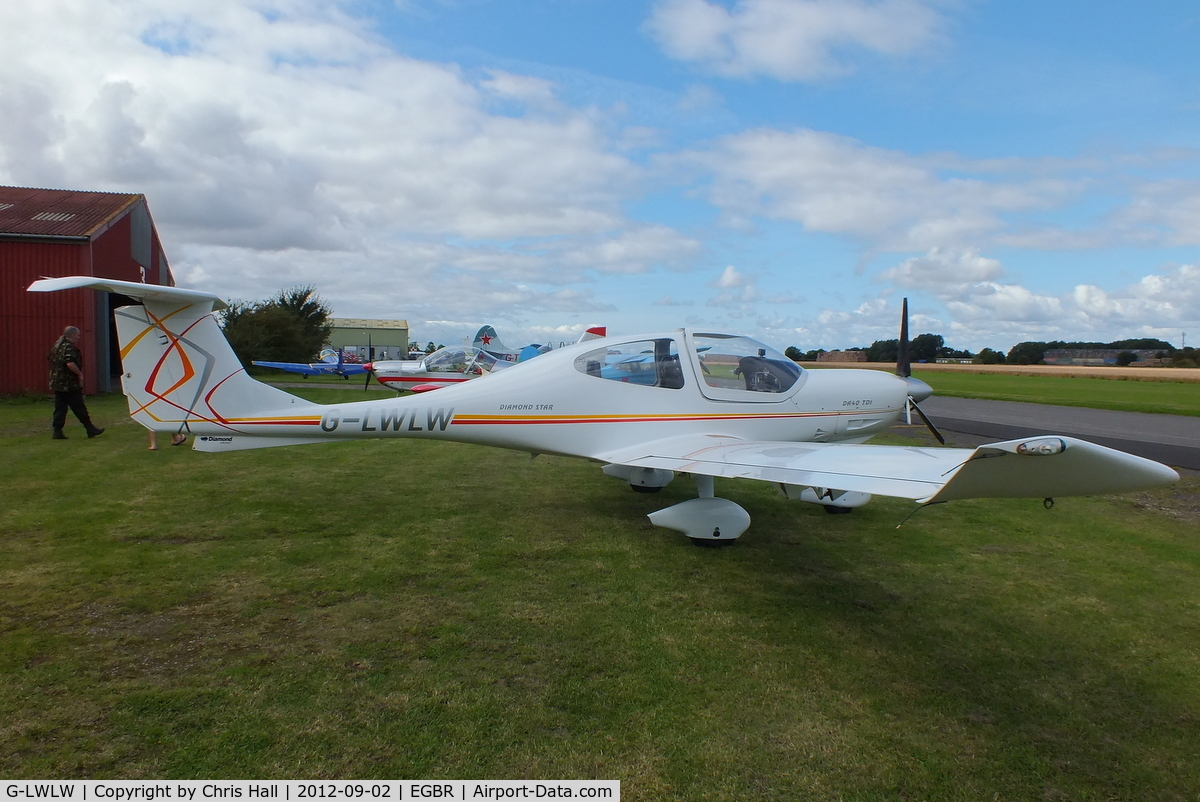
(1173, 440)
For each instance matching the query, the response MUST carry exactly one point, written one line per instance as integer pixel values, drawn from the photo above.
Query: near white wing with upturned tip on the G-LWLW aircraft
(1034, 468)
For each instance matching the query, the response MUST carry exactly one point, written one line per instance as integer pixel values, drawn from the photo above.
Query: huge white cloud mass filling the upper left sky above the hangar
(279, 141)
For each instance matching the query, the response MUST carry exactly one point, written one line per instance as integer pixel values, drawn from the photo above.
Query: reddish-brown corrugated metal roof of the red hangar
(28, 212)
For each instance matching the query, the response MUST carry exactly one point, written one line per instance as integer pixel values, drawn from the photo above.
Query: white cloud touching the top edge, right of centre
(790, 40)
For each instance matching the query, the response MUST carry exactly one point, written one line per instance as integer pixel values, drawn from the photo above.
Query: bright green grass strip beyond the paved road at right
(1168, 398)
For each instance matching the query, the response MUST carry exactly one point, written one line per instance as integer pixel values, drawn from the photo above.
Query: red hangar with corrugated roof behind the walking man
(51, 234)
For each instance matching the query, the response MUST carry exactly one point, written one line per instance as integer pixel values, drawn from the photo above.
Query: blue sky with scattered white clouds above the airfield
(788, 170)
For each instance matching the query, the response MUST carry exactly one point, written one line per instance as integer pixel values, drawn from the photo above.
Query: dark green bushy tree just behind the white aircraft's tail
(291, 327)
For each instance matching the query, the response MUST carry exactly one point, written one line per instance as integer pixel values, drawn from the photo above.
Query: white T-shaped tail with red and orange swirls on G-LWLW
(179, 373)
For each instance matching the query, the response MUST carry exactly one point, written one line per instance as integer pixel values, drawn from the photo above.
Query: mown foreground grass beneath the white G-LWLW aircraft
(290, 614)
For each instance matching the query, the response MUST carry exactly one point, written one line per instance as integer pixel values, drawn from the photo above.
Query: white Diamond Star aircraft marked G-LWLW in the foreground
(646, 408)
